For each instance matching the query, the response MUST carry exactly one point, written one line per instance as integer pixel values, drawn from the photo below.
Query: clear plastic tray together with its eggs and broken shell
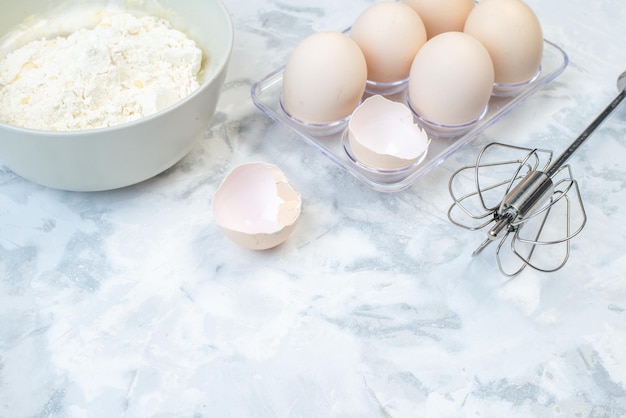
(409, 83)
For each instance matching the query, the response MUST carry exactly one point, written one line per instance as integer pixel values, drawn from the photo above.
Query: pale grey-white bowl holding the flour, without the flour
(109, 158)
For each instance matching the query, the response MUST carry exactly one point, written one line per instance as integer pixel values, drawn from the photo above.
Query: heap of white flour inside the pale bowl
(124, 68)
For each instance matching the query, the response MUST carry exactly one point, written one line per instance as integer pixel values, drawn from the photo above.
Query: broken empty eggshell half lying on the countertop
(256, 206)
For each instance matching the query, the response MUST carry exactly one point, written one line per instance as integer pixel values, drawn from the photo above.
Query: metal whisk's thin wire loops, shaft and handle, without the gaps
(531, 197)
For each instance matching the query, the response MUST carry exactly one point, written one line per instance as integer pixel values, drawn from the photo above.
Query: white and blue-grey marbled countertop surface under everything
(131, 303)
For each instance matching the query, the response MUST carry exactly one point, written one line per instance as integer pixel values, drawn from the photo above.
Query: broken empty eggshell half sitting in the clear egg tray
(382, 135)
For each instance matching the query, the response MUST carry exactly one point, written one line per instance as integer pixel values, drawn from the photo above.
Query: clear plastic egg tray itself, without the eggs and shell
(266, 95)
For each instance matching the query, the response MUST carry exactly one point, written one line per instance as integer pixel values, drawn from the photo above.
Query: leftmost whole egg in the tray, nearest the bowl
(324, 78)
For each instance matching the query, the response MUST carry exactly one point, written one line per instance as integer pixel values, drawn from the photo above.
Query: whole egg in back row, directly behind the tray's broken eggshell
(389, 33)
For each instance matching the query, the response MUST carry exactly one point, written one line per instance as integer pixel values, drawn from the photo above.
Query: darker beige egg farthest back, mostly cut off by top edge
(441, 16)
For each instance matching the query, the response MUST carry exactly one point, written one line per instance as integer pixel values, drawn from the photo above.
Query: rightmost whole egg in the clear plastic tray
(512, 34)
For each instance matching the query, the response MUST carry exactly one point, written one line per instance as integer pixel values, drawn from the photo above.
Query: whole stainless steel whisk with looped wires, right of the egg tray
(523, 199)
